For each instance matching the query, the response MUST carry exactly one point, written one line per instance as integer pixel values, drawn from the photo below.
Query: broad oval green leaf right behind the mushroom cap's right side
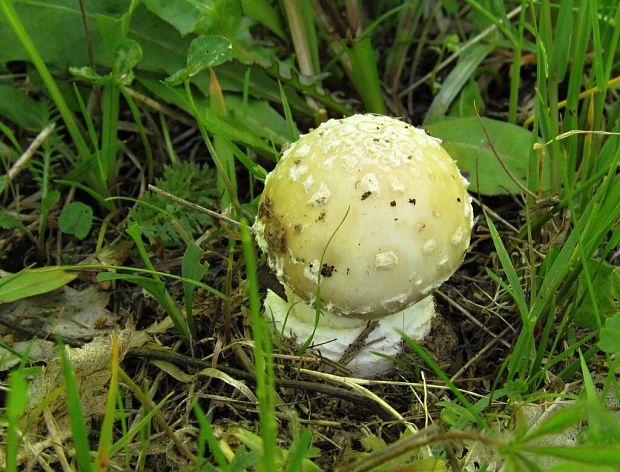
(466, 142)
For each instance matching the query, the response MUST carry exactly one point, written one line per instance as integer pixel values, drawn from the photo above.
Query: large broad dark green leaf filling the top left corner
(163, 47)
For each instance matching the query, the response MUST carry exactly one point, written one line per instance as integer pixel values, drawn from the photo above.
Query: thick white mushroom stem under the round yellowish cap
(335, 334)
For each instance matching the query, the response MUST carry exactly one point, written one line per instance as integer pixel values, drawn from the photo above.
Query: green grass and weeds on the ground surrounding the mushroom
(191, 377)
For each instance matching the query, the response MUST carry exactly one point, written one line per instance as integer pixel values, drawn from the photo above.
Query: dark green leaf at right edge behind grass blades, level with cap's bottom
(606, 287)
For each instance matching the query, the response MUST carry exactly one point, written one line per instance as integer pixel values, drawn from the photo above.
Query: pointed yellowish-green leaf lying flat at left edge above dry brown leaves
(30, 282)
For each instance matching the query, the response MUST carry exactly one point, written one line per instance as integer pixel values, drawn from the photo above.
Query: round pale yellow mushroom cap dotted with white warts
(390, 198)
